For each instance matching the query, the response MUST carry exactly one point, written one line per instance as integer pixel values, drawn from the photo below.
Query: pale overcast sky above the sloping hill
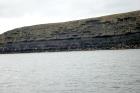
(19, 13)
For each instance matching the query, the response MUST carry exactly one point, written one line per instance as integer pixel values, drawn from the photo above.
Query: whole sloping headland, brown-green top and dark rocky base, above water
(118, 31)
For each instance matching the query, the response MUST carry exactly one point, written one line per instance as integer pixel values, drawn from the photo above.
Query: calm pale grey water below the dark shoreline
(103, 71)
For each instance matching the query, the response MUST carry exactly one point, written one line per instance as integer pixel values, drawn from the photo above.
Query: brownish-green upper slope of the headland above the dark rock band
(106, 25)
